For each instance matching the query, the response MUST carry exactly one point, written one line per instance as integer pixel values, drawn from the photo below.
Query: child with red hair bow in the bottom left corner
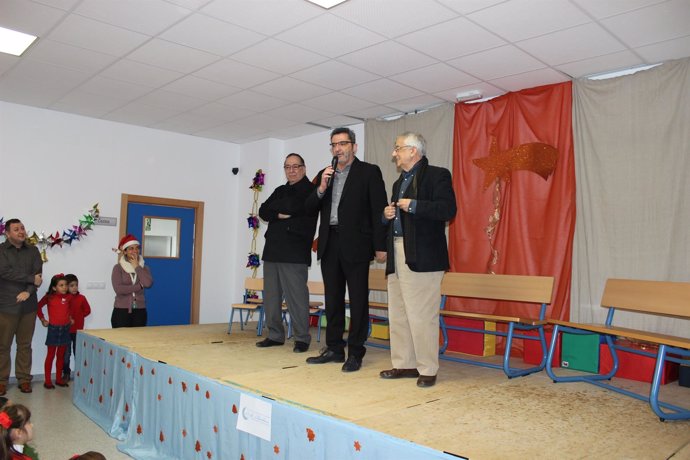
(16, 430)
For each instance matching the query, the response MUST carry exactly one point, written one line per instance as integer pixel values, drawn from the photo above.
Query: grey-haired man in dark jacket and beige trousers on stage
(421, 203)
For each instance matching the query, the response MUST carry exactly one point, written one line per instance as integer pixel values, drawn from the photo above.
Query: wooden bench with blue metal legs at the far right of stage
(656, 298)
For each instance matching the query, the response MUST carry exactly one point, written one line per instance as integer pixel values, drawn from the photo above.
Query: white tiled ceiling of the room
(243, 70)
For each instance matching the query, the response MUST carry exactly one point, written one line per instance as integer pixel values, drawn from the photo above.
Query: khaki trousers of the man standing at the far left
(20, 326)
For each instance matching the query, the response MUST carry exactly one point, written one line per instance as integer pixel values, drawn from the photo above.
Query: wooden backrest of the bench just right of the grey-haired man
(518, 288)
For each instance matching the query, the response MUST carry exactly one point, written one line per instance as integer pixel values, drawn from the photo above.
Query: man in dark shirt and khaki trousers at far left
(20, 277)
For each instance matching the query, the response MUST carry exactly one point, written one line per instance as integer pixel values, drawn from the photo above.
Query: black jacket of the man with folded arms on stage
(288, 240)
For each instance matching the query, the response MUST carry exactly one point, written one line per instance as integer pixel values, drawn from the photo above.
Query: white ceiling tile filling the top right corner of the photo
(656, 23)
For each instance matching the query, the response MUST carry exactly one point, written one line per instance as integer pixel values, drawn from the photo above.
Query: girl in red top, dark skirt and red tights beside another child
(57, 339)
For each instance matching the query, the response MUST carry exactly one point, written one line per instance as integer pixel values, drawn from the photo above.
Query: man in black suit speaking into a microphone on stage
(350, 199)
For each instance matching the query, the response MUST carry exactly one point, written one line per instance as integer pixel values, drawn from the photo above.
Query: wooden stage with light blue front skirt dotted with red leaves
(472, 412)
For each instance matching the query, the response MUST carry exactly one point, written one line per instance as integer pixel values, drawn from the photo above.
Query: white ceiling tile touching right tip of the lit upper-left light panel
(97, 36)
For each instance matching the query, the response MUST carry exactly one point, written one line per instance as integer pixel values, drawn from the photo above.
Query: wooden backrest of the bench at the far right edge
(658, 297)
